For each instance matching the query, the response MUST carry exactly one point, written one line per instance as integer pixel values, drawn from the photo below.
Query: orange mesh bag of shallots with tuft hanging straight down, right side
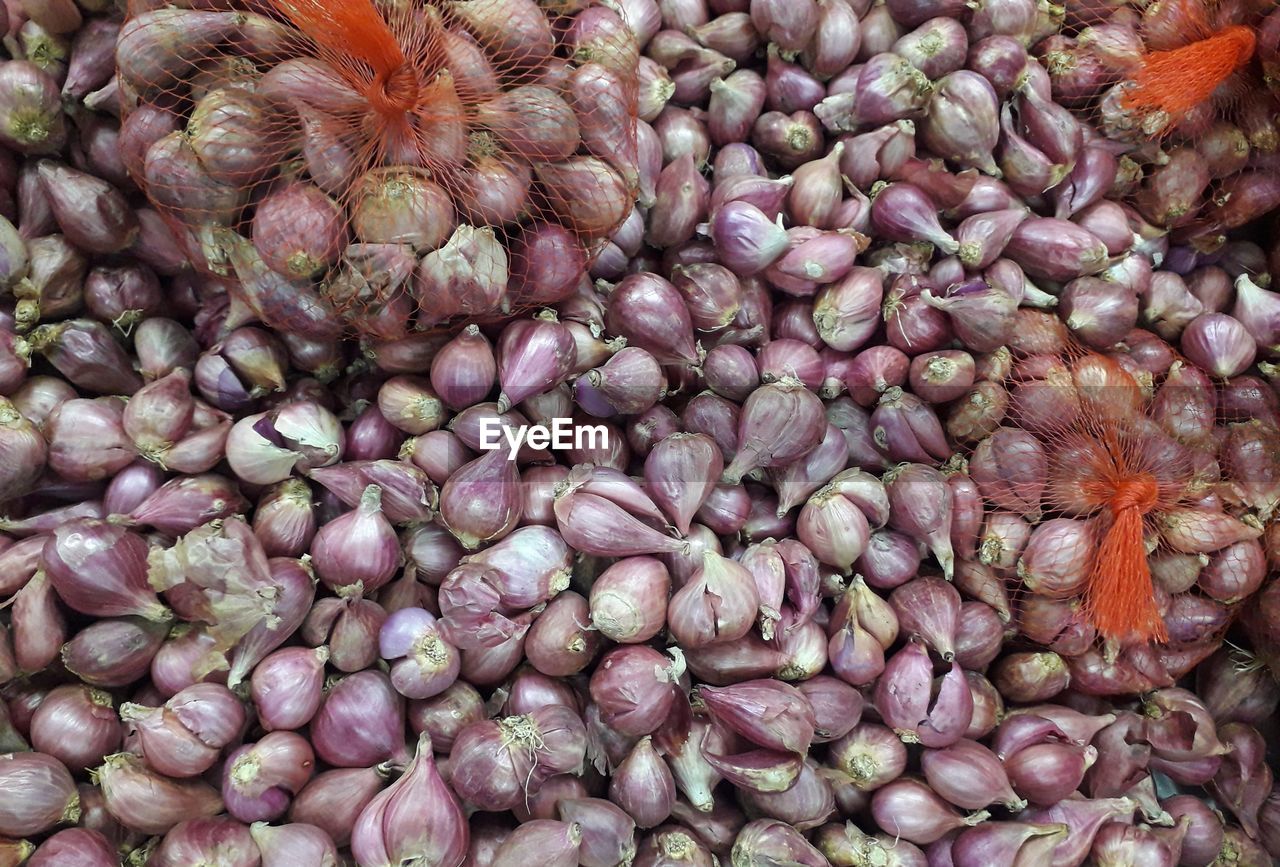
(1099, 485)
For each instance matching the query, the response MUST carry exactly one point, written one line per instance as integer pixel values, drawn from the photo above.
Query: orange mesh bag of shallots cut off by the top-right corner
(1185, 90)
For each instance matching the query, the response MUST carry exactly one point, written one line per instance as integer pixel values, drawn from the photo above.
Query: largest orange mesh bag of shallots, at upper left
(383, 167)
